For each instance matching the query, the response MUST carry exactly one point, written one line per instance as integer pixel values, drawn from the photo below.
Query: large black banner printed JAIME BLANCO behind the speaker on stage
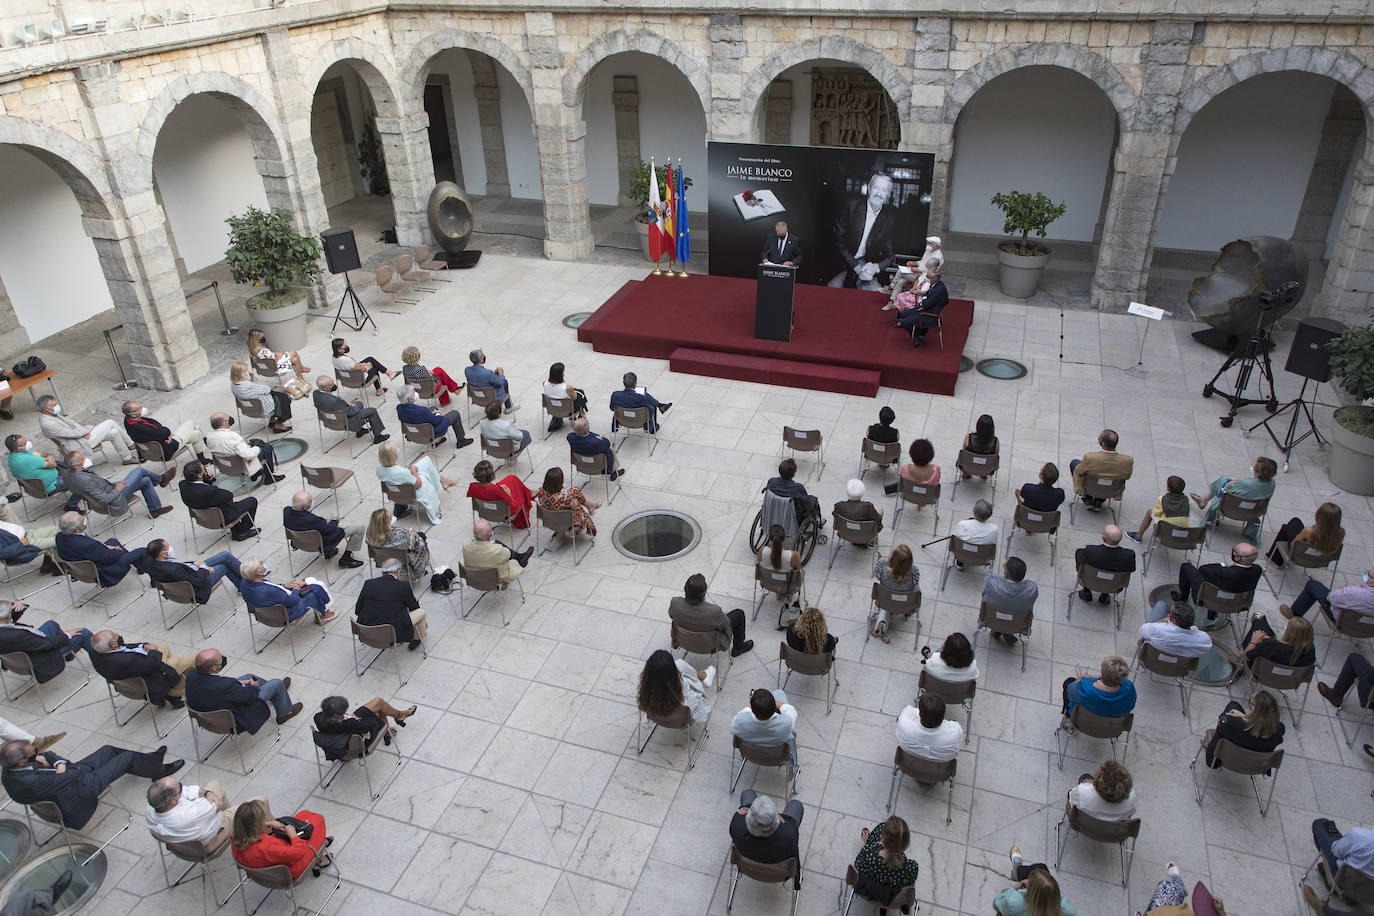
(855, 212)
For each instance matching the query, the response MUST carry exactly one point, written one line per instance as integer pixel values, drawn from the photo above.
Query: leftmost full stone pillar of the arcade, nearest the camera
(134, 248)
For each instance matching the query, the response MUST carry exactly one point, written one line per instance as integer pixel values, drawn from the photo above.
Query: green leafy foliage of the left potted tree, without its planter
(267, 251)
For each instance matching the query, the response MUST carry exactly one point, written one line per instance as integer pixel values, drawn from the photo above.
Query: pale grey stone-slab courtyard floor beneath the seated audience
(521, 790)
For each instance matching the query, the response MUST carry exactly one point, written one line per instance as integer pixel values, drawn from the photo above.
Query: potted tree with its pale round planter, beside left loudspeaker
(267, 251)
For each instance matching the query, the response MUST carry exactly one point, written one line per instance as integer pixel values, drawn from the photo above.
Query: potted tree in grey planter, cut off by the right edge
(1353, 433)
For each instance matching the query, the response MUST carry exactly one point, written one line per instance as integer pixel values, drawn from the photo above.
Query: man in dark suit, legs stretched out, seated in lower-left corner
(75, 786)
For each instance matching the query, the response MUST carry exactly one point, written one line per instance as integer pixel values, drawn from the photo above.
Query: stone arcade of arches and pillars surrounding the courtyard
(95, 119)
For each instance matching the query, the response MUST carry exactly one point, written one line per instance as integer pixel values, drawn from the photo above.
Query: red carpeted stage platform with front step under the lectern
(843, 340)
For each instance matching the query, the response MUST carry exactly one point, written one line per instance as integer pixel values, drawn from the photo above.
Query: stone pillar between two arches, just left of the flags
(561, 135)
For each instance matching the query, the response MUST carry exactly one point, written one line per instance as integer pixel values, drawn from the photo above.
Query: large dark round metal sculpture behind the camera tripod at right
(1229, 299)
